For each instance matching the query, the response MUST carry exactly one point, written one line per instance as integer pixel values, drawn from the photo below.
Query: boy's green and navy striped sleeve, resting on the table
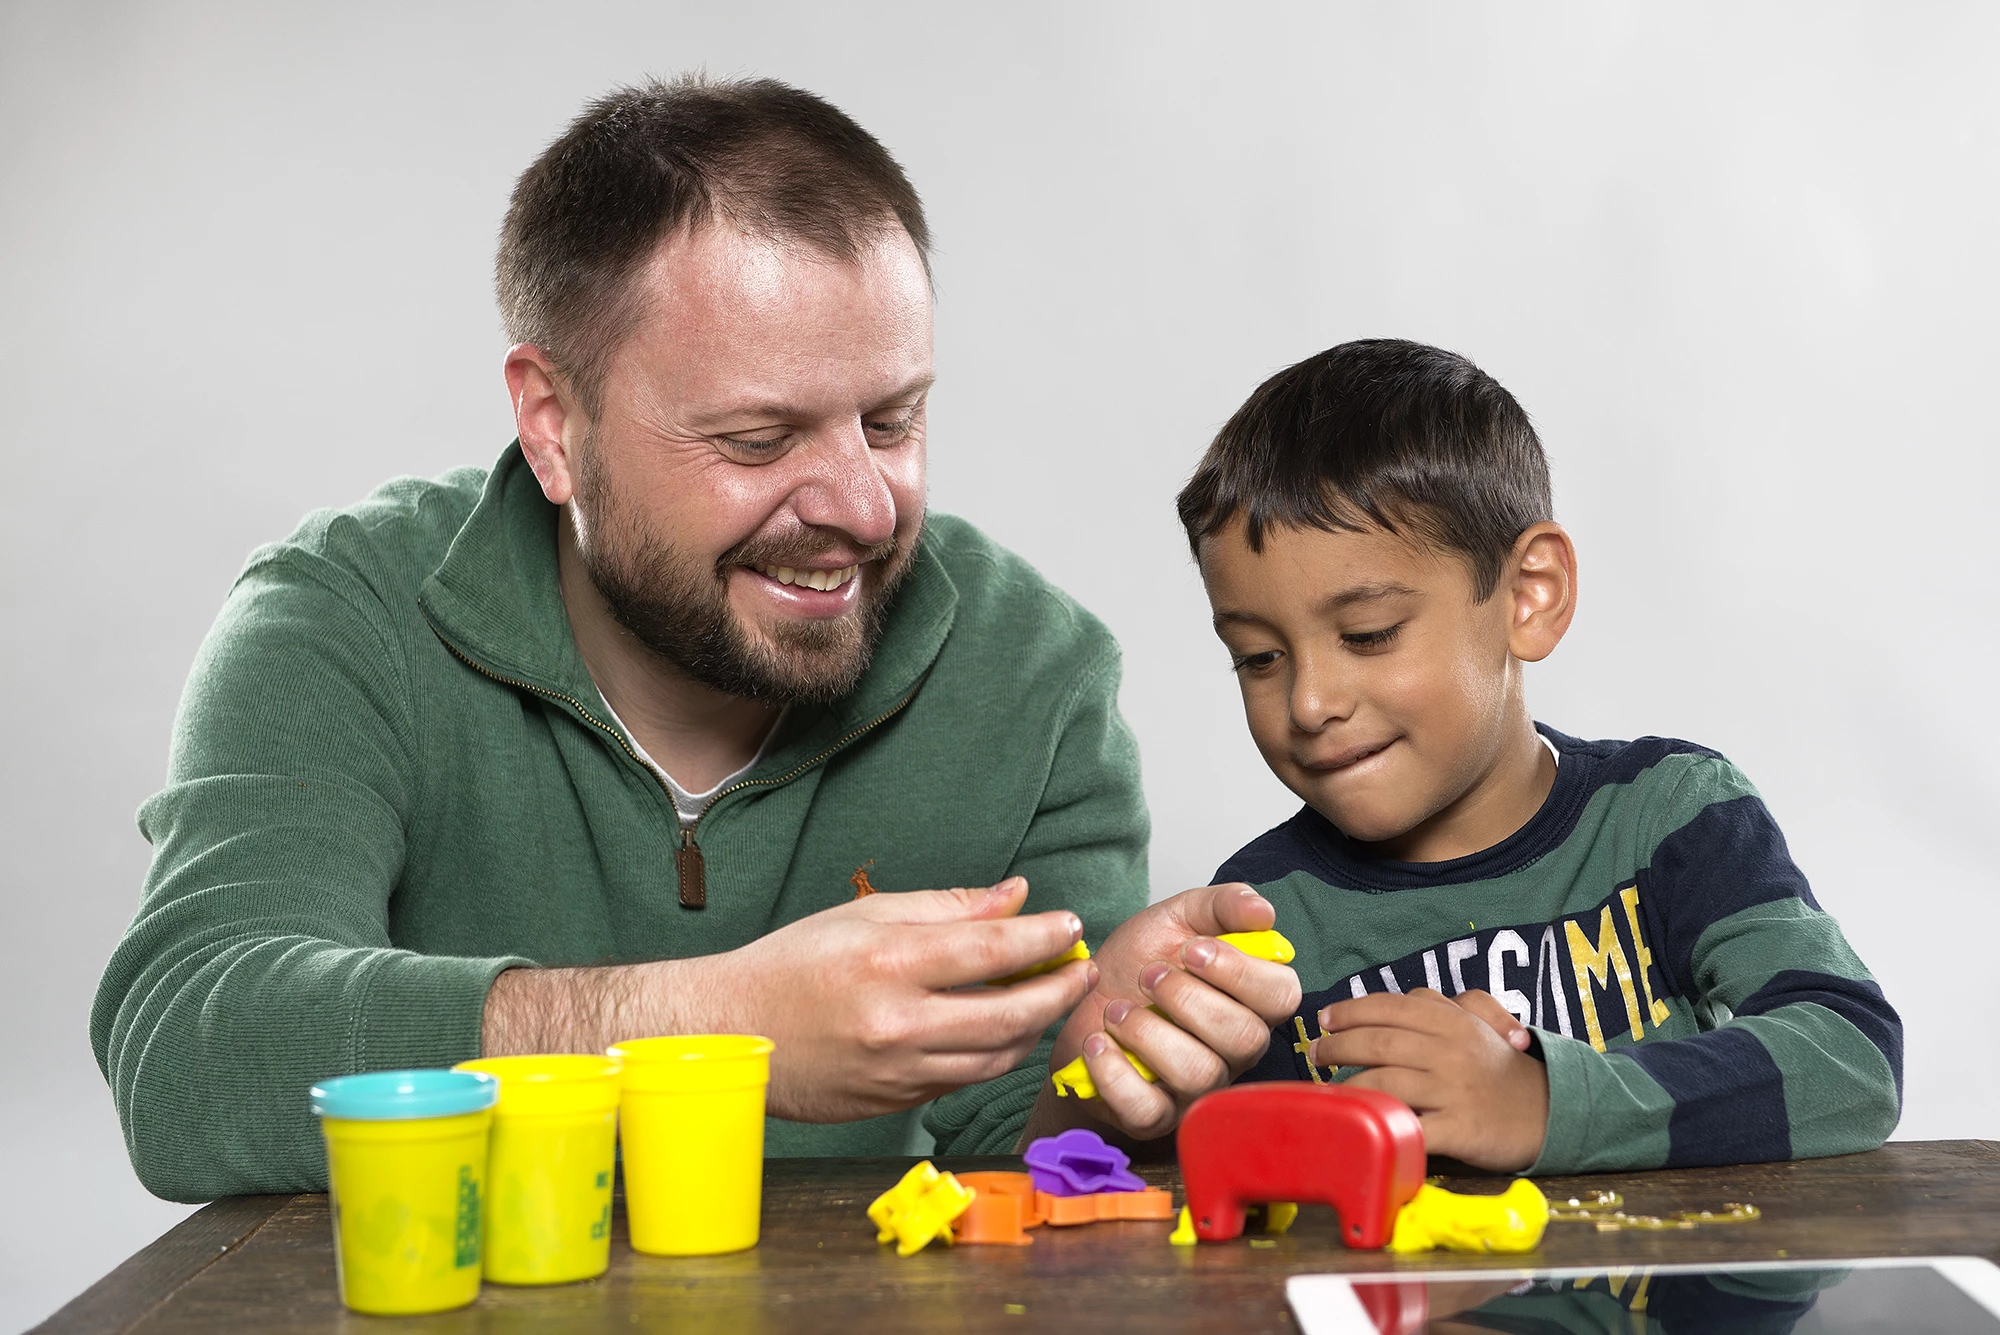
(1799, 1056)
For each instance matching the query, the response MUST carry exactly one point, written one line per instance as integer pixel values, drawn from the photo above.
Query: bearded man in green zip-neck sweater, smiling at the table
(617, 738)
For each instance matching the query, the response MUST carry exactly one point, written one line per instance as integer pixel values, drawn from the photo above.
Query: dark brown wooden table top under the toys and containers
(267, 1262)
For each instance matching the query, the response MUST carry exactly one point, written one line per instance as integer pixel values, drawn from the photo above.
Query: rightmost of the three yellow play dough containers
(693, 1118)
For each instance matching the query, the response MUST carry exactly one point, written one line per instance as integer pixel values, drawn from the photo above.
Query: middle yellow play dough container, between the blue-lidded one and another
(549, 1174)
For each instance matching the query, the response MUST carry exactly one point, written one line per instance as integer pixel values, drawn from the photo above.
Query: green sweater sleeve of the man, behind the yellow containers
(259, 960)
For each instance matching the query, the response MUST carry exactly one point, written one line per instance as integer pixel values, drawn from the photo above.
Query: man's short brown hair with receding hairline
(645, 163)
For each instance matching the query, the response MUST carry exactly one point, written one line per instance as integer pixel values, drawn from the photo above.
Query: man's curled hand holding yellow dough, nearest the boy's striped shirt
(1219, 1008)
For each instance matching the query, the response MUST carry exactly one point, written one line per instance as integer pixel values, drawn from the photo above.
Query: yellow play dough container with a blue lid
(407, 1180)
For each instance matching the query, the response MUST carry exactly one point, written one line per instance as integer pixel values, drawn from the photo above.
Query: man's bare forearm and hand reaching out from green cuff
(859, 1000)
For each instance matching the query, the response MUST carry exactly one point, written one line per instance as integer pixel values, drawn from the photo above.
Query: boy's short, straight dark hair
(1379, 435)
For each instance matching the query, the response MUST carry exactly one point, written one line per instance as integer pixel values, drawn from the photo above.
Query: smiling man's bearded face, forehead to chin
(753, 487)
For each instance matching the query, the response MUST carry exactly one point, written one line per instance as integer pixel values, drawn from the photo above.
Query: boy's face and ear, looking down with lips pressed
(1381, 690)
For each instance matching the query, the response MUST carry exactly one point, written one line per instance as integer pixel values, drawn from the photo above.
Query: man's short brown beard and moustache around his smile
(681, 609)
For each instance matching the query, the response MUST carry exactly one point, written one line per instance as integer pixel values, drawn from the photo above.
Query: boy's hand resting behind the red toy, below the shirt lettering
(1459, 1062)
